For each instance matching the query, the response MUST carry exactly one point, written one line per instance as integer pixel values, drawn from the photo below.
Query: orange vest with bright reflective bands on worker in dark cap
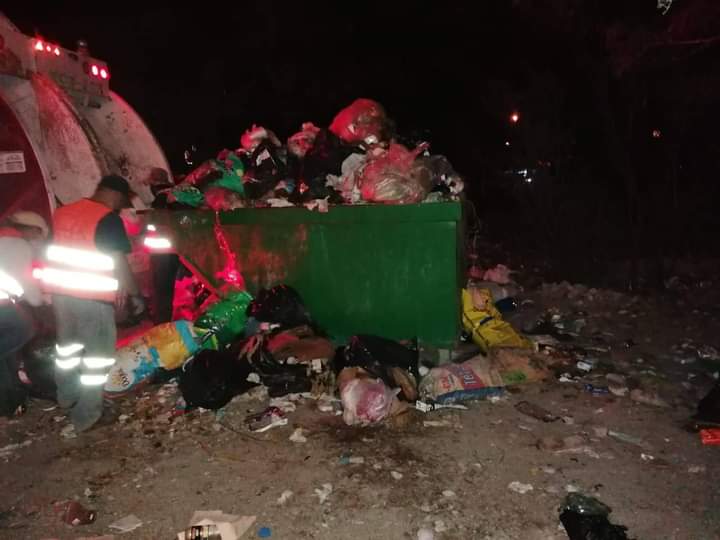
(74, 266)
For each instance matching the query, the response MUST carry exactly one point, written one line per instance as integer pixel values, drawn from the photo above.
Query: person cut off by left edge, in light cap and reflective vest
(17, 288)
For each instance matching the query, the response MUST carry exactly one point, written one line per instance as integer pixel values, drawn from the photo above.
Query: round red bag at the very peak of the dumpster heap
(364, 120)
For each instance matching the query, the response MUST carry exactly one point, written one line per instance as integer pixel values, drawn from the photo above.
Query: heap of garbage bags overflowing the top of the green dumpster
(357, 160)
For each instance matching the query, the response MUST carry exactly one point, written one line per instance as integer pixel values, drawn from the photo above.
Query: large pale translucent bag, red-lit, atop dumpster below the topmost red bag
(391, 177)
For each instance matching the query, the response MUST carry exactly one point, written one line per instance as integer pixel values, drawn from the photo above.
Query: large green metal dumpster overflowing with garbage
(392, 271)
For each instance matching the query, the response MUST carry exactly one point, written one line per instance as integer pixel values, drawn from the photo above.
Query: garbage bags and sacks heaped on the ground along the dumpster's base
(239, 342)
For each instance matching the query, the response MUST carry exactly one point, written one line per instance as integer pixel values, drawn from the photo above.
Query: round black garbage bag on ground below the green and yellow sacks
(212, 378)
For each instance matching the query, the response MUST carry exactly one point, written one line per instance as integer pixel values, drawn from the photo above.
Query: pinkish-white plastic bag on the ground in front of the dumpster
(365, 401)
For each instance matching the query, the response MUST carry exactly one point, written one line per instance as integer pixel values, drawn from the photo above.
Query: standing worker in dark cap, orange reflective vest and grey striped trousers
(86, 267)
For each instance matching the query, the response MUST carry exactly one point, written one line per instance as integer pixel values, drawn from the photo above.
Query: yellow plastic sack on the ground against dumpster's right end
(482, 319)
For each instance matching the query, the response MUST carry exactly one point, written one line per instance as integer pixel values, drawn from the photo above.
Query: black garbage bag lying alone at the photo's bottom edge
(586, 518)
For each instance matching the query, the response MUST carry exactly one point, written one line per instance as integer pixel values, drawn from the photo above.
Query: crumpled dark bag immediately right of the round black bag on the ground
(280, 379)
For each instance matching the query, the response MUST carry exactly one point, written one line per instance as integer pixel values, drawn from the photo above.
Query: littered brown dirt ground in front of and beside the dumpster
(451, 478)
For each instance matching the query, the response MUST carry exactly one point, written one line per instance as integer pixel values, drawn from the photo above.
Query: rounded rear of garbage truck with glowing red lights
(62, 127)
